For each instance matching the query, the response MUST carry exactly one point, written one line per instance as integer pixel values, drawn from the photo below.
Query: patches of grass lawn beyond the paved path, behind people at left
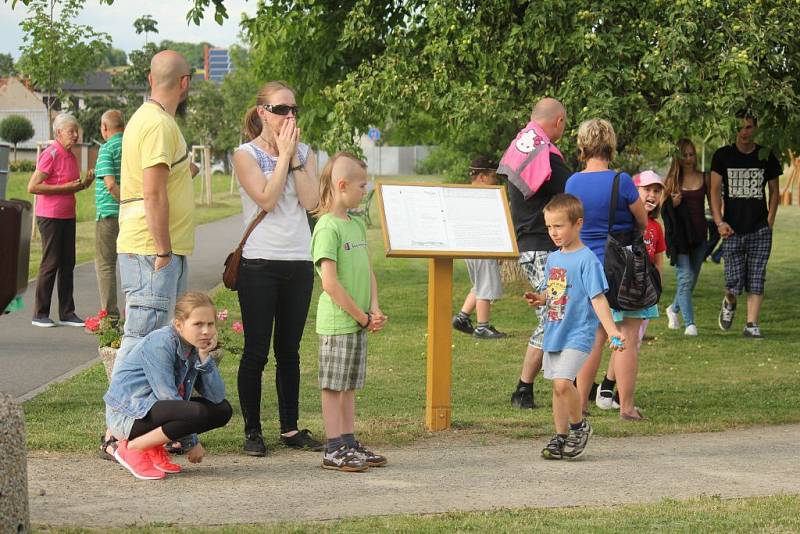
(224, 204)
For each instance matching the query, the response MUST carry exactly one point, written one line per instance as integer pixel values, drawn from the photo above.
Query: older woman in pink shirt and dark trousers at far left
(55, 182)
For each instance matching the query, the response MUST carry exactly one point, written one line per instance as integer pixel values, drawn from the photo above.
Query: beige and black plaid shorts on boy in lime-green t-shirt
(343, 361)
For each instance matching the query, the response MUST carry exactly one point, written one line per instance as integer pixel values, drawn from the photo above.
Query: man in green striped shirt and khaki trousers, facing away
(107, 172)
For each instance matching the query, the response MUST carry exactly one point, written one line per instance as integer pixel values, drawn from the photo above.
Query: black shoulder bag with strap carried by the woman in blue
(633, 281)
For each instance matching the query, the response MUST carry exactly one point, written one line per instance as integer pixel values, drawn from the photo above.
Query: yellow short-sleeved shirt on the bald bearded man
(152, 137)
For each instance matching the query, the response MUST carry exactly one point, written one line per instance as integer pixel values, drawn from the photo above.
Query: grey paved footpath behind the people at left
(31, 357)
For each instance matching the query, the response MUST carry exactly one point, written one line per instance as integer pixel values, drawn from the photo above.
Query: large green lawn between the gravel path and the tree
(713, 382)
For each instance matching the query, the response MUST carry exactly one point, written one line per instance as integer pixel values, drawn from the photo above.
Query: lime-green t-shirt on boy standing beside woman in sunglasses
(345, 242)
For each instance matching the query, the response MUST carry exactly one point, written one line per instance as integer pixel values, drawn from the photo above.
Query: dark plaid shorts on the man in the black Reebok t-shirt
(746, 257)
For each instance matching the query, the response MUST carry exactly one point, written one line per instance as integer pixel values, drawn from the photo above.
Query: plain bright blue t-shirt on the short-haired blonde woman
(594, 191)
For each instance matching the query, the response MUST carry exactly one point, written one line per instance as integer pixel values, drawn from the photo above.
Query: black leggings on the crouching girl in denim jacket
(181, 418)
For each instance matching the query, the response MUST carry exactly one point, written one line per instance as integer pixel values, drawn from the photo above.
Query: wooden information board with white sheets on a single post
(443, 222)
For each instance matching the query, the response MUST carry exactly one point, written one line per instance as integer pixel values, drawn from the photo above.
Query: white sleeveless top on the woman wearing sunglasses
(284, 233)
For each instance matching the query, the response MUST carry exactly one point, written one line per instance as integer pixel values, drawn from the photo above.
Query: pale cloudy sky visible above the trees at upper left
(117, 20)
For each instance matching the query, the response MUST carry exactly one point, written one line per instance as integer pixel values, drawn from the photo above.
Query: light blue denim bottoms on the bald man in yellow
(150, 295)
